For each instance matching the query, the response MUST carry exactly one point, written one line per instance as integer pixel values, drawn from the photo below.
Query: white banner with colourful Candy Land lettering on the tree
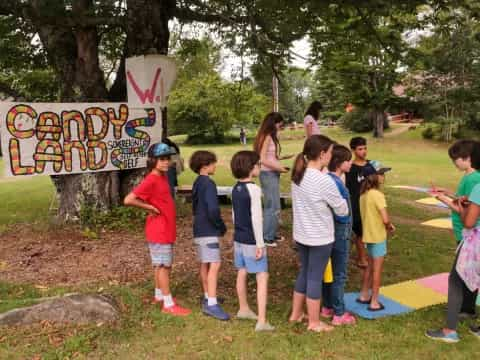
(56, 139)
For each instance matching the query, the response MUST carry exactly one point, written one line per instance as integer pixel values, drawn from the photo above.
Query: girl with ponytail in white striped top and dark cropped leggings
(314, 197)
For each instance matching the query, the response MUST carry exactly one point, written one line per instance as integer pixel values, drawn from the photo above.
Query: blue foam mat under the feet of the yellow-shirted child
(391, 307)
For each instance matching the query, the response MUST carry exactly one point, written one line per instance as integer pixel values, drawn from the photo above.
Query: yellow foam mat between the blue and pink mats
(411, 294)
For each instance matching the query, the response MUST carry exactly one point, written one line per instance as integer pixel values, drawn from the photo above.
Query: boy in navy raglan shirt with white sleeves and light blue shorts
(250, 255)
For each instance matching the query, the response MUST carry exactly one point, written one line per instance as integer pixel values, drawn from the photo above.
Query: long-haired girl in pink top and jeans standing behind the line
(267, 146)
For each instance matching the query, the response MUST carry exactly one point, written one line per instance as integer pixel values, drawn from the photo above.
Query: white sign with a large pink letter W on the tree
(149, 79)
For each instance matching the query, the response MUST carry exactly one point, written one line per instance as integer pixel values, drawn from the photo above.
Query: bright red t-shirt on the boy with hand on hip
(154, 189)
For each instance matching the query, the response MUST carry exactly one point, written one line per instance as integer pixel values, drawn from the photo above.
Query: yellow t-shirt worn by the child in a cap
(370, 205)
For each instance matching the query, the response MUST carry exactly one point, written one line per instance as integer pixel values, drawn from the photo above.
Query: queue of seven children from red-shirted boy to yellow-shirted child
(324, 208)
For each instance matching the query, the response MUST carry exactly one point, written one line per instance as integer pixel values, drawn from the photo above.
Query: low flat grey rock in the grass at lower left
(71, 309)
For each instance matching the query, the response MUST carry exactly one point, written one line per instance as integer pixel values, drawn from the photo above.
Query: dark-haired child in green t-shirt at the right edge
(465, 156)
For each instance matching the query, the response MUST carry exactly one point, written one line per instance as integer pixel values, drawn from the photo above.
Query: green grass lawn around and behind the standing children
(144, 333)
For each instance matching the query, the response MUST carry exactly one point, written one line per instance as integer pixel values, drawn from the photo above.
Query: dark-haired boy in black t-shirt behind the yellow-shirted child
(353, 180)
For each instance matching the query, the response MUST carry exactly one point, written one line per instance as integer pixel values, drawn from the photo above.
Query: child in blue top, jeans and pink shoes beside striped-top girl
(333, 304)
